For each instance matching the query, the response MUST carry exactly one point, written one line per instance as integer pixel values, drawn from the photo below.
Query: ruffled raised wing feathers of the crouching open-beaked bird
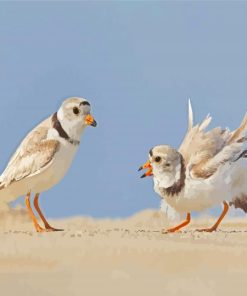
(204, 152)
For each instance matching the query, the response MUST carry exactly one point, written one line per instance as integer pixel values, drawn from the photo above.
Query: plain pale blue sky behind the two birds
(137, 63)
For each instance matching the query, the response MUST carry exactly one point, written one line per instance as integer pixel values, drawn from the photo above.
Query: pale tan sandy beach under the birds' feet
(121, 257)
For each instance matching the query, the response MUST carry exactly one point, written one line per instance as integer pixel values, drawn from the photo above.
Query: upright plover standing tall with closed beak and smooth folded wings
(45, 155)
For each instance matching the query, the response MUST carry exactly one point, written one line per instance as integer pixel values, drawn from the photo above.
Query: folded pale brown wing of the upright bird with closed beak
(34, 154)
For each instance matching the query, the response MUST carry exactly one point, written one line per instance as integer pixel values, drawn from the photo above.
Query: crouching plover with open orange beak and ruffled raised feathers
(209, 168)
